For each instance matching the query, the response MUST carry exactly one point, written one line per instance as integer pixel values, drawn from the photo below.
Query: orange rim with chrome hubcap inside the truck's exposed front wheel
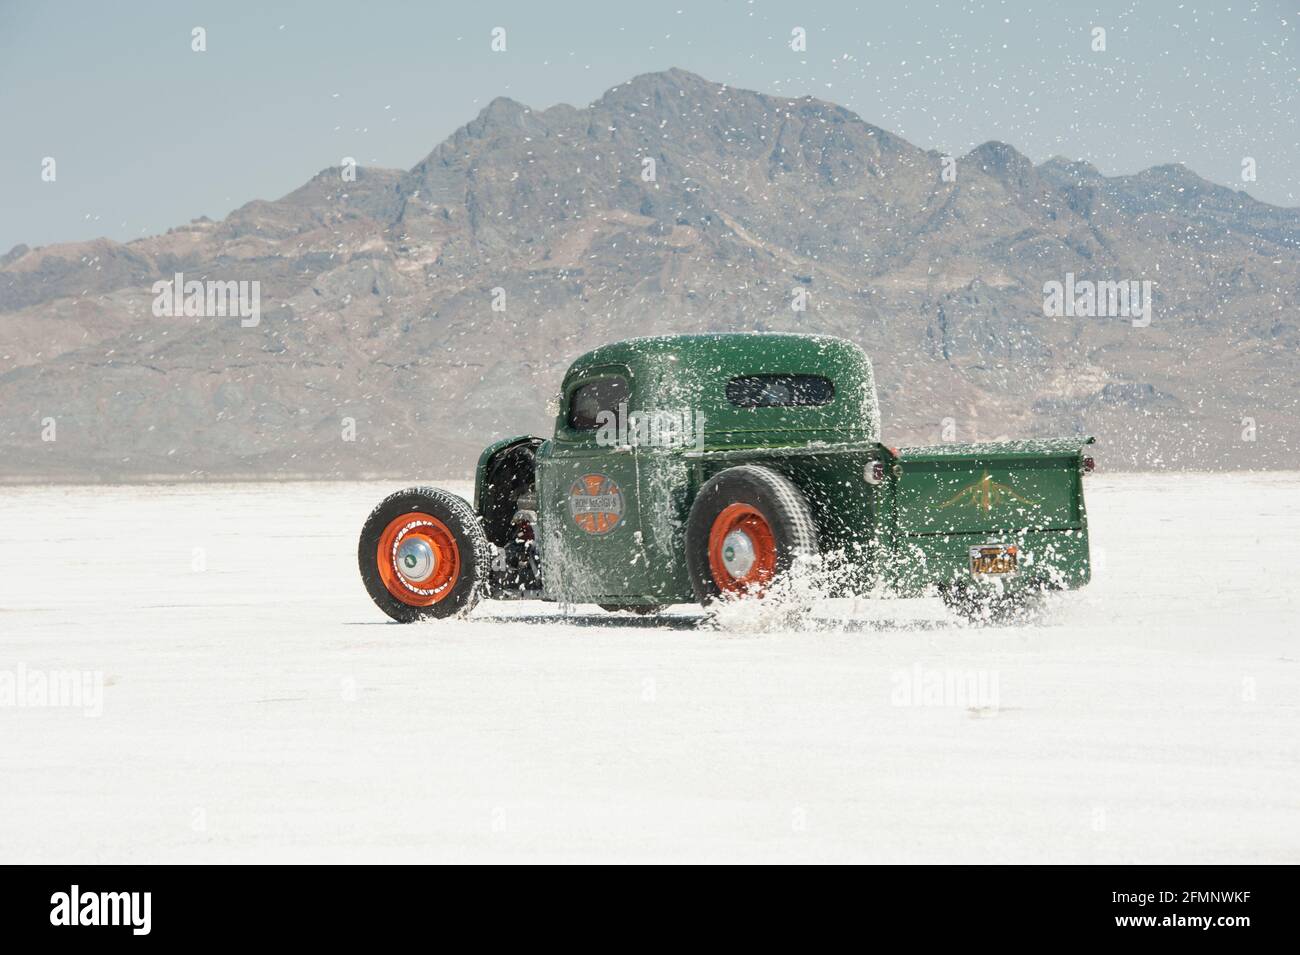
(419, 559)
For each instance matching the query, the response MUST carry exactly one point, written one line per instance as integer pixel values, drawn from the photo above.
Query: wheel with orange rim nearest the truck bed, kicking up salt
(747, 528)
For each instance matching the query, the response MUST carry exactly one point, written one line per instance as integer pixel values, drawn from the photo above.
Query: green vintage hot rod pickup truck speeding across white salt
(701, 467)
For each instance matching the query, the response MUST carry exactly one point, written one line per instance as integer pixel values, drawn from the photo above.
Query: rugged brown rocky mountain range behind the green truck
(408, 318)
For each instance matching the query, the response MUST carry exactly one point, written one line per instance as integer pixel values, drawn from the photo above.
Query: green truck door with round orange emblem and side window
(591, 514)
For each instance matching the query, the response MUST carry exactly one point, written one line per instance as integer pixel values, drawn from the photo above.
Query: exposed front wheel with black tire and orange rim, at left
(423, 555)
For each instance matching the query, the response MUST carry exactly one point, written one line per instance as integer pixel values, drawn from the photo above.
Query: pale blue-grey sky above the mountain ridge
(149, 134)
